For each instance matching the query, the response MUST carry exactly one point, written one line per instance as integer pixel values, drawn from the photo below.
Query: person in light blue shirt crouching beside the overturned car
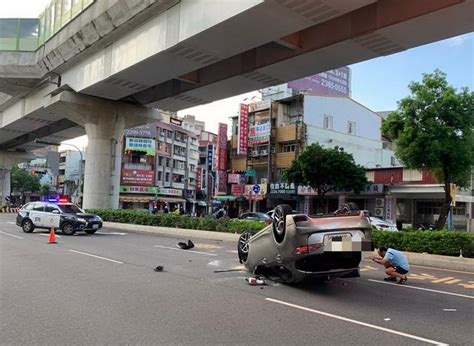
(395, 262)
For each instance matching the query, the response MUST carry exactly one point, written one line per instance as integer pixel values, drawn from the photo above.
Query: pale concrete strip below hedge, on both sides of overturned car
(423, 259)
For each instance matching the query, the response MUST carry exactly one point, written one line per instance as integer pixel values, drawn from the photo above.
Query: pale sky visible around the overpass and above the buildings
(377, 83)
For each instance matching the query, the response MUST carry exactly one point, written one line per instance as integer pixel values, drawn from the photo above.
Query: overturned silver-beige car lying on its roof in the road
(296, 246)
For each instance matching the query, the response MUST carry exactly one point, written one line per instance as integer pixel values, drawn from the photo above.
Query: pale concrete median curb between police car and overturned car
(174, 232)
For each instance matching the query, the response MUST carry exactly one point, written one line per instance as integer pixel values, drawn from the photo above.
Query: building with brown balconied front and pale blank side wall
(279, 129)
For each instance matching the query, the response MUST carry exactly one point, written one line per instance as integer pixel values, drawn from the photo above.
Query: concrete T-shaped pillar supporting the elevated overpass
(104, 122)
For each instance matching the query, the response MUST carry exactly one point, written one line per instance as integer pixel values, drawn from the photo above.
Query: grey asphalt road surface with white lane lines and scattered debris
(101, 289)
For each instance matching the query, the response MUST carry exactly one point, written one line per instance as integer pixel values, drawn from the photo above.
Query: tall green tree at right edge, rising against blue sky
(433, 129)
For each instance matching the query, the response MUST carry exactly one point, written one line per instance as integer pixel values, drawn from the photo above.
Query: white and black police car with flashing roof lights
(64, 216)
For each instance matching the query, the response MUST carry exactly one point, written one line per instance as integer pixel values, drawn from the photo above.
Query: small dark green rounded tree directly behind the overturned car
(326, 170)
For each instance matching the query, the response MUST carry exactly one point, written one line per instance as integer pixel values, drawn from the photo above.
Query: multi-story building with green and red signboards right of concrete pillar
(159, 167)
